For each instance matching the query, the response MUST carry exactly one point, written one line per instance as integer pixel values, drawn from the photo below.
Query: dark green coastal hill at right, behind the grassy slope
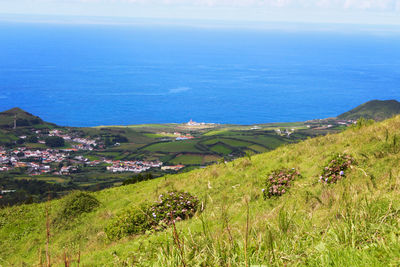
(376, 109)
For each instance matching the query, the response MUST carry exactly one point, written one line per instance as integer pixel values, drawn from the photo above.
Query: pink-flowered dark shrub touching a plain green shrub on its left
(174, 206)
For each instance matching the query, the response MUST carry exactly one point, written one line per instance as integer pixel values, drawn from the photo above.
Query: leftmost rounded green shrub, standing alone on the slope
(78, 203)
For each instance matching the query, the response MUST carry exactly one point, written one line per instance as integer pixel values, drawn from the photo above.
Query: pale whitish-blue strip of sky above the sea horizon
(374, 12)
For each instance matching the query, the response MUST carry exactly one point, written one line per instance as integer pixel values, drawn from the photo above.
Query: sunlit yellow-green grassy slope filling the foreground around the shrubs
(354, 222)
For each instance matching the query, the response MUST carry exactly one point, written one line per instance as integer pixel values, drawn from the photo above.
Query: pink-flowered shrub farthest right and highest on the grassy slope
(336, 167)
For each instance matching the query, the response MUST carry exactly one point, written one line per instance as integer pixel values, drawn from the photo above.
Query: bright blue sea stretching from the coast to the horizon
(88, 75)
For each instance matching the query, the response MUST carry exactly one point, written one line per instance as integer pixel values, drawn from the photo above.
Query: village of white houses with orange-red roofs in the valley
(64, 161)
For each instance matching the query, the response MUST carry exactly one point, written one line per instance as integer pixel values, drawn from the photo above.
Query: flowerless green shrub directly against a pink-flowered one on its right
(135, 220)
